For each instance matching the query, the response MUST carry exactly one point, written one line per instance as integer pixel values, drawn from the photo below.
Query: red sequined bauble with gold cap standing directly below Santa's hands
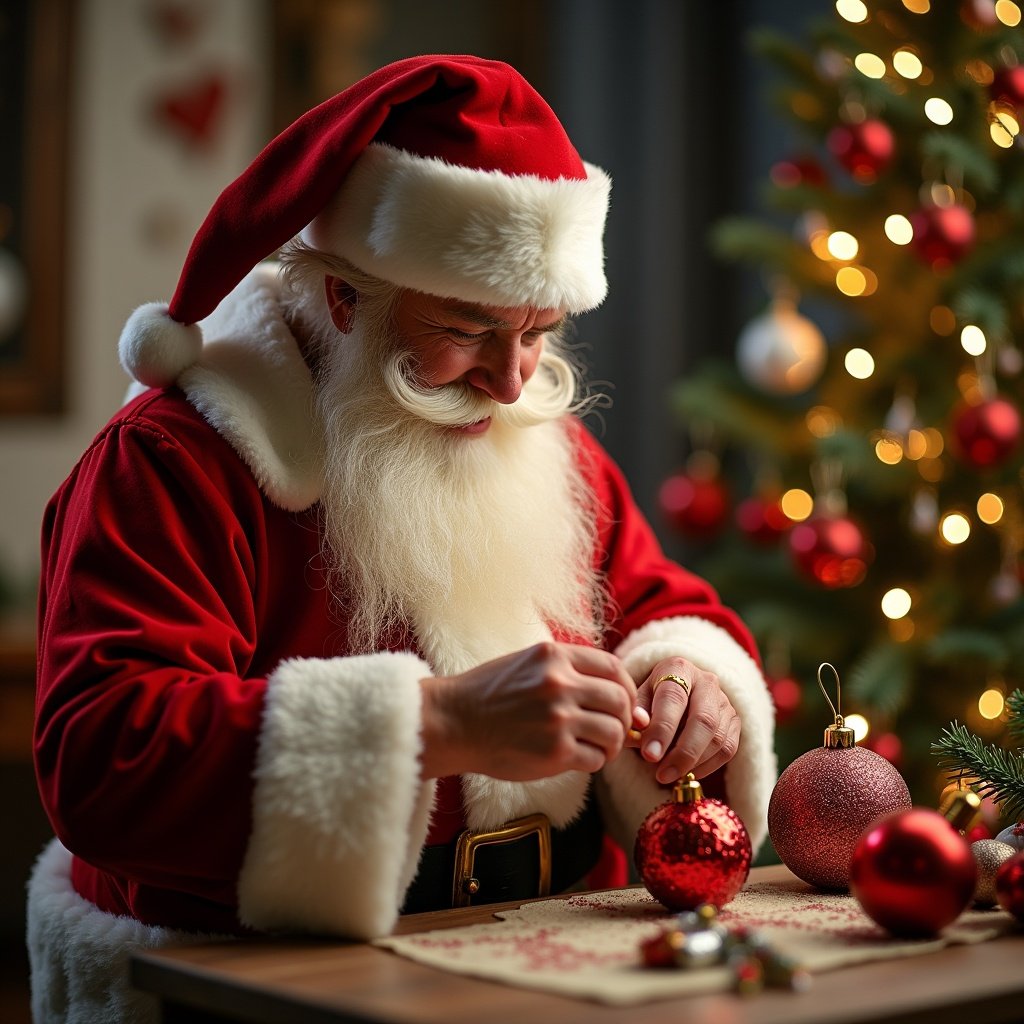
(693, 850)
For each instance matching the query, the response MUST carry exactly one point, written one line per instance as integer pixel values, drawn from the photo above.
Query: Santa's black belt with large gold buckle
(523, 860)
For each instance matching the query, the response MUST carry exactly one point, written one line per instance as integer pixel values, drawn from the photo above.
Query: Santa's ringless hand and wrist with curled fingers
(533, 714)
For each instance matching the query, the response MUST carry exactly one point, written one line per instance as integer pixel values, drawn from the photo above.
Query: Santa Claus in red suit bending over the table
(346, 613)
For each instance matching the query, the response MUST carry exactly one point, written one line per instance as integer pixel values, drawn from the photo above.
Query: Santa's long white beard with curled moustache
(482, 545)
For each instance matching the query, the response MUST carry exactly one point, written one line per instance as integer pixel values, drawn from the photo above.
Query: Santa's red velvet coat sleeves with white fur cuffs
(206, 746)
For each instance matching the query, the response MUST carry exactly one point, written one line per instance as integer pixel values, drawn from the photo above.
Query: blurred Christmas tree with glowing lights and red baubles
(855, 480)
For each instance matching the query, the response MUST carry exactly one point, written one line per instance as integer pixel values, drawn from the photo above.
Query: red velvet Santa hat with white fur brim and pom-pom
(445, 175)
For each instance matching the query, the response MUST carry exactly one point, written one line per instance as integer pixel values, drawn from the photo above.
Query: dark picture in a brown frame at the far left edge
(35, 63)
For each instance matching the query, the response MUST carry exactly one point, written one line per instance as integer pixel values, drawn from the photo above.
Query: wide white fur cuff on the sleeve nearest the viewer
(339, 812)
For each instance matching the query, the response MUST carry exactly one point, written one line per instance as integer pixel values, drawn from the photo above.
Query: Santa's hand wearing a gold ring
(693, 726)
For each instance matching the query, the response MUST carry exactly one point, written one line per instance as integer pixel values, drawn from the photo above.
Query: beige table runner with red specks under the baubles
(588, 946)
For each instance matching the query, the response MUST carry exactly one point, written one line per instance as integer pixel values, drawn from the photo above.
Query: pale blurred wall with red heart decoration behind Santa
(140, 183)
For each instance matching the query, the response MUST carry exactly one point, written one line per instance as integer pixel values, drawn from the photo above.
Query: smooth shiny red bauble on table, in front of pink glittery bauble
(913, 873)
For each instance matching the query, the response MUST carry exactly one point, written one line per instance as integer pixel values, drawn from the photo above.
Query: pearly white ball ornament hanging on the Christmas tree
(782, 352)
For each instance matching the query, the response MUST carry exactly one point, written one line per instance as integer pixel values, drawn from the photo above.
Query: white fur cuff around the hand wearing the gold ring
(629, 787)
